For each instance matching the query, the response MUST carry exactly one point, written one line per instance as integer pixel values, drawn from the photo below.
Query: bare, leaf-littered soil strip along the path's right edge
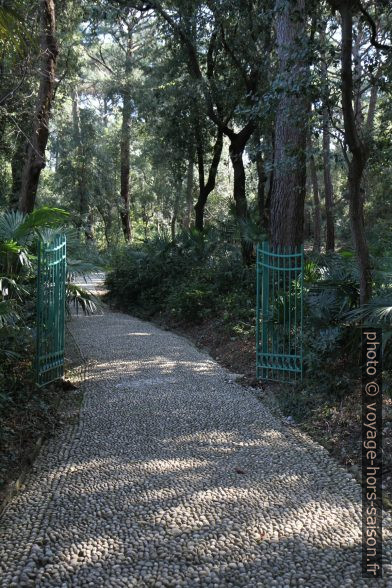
(333, 422)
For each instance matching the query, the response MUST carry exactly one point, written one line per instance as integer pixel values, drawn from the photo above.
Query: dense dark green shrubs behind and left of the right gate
(190, 279)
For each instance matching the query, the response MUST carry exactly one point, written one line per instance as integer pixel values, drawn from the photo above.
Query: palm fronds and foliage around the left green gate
(18, 268)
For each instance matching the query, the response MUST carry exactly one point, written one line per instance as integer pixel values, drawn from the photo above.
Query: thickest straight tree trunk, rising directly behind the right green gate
(289, 184)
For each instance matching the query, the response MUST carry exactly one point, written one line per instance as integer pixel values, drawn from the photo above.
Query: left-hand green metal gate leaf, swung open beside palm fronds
(50, 310)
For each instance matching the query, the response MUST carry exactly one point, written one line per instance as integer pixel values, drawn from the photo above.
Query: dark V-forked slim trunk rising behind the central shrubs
(205, 189)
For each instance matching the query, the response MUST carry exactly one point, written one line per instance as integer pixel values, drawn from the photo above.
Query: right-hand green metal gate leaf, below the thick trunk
(279, 313)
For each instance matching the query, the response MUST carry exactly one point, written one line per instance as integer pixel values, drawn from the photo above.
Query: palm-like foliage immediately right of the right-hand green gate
(333, 317)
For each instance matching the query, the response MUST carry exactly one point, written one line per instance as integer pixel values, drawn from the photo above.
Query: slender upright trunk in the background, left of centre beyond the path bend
(126, 145)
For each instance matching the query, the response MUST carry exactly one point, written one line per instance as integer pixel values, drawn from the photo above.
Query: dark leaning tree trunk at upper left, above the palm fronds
(35, 156)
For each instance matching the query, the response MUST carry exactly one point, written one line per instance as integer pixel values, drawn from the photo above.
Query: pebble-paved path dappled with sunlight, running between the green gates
(178, 476)
